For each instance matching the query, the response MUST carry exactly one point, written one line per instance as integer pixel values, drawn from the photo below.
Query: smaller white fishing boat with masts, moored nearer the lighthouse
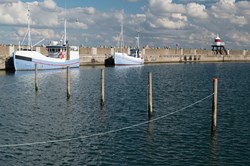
(133, 58)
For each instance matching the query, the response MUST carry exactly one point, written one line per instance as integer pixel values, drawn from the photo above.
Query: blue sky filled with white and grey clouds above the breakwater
(191, 24)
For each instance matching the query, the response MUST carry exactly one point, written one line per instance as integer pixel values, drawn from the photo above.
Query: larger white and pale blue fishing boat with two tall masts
(60, 55)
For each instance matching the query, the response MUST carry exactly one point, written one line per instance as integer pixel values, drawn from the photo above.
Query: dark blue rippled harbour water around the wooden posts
(182, 138)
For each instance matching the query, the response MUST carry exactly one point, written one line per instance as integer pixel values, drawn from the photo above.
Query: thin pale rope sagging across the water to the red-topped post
(107, 132)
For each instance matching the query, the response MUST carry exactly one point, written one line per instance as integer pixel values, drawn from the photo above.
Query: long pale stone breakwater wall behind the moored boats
(97, 56)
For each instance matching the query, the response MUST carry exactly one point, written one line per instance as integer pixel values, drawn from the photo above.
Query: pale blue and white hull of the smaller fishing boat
(125, 59)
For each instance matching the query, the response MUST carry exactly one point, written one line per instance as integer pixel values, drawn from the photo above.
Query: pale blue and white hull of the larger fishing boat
(26, 60)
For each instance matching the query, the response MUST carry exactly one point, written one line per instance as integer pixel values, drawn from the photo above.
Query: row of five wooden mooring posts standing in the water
(150, 98)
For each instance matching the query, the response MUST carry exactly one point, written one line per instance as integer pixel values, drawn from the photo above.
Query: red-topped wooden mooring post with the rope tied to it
(214, 105)
